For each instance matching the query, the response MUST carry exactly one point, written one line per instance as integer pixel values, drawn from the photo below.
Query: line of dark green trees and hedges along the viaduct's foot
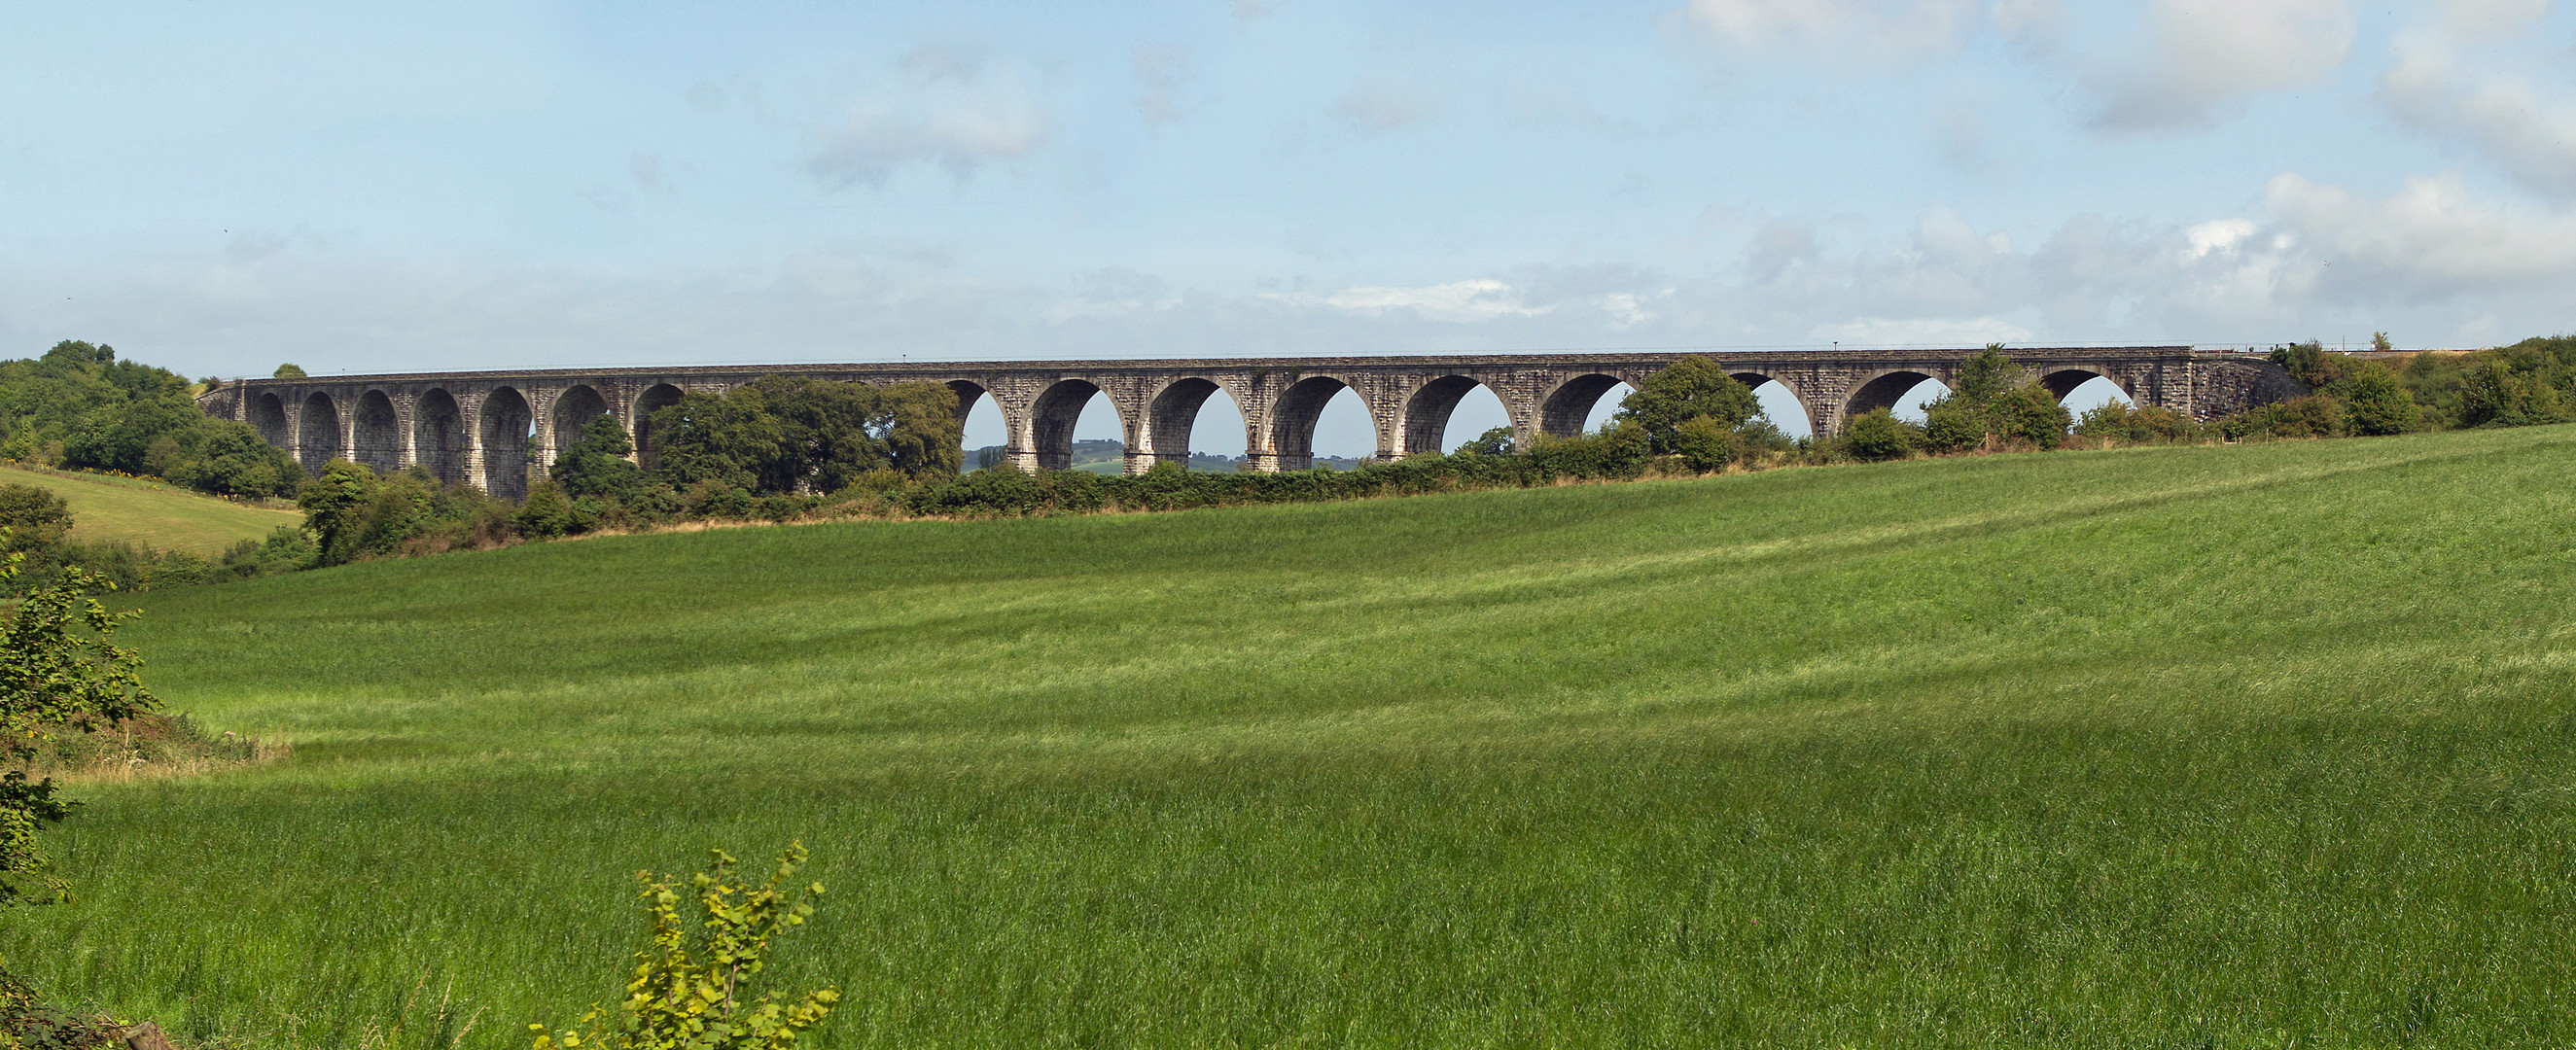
(790, 449)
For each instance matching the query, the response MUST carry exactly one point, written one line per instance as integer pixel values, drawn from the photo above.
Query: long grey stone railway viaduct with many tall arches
(501, 428)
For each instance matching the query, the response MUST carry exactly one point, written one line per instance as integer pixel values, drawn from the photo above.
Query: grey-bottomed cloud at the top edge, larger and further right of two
(2209, 53)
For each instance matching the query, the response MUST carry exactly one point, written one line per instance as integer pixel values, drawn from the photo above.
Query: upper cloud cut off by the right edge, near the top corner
(2503, 117)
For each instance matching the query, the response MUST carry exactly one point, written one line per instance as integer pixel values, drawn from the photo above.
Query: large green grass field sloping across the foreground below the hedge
(2191, 748)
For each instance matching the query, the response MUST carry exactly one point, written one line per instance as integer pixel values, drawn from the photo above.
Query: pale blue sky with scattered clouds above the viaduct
(228, 187)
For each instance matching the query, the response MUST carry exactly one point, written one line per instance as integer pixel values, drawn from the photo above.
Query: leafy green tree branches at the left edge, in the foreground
(58, 668)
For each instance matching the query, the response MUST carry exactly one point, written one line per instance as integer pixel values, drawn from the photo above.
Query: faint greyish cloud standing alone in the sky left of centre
(960, 115)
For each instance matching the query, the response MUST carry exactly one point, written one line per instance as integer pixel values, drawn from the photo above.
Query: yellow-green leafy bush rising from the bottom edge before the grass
(694, 984)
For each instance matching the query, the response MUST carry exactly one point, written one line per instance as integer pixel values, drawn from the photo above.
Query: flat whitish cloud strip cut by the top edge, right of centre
(1869, 30)
